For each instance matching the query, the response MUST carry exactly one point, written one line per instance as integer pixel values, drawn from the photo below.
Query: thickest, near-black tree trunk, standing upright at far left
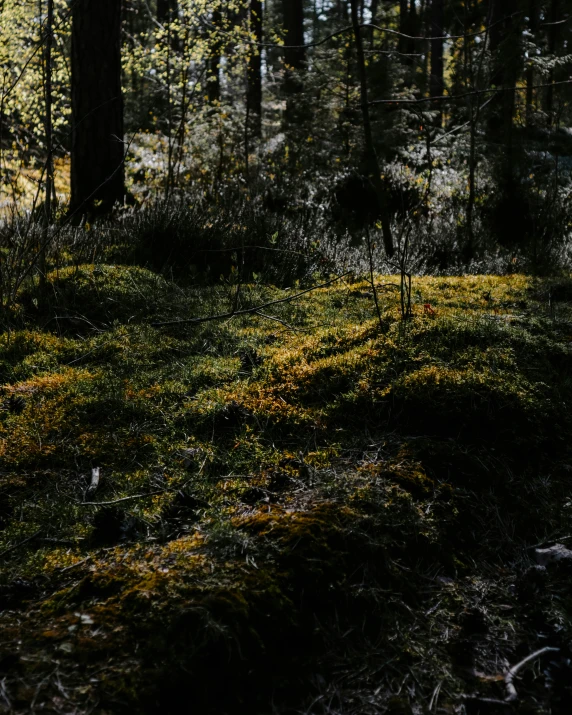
(97, 154)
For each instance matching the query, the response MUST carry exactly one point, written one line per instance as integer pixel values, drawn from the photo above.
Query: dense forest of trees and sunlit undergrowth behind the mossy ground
(259, 108)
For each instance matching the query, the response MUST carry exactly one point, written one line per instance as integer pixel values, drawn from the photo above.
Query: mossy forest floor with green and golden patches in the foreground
(308, 509)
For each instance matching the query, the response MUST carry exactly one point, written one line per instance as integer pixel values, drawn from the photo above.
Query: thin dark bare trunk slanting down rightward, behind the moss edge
(372, 162)
